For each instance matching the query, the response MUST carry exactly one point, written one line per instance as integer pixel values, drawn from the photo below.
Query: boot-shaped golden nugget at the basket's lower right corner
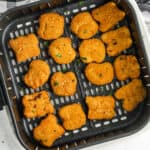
(132, 94)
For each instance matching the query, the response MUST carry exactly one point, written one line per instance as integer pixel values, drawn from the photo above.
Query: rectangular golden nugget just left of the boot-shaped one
(100, 107)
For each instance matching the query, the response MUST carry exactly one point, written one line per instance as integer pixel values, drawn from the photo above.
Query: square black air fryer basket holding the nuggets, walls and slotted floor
(24, 20)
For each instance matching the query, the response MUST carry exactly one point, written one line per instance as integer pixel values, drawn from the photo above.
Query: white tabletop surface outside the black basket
(138, 141)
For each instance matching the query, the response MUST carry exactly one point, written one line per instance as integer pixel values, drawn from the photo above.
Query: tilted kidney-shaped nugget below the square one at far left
(38, 74)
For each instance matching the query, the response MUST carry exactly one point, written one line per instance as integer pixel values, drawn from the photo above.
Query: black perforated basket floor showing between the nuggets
(29, 24)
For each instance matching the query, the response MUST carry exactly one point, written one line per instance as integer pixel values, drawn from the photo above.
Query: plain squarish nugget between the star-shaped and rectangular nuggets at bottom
(73, 116)
